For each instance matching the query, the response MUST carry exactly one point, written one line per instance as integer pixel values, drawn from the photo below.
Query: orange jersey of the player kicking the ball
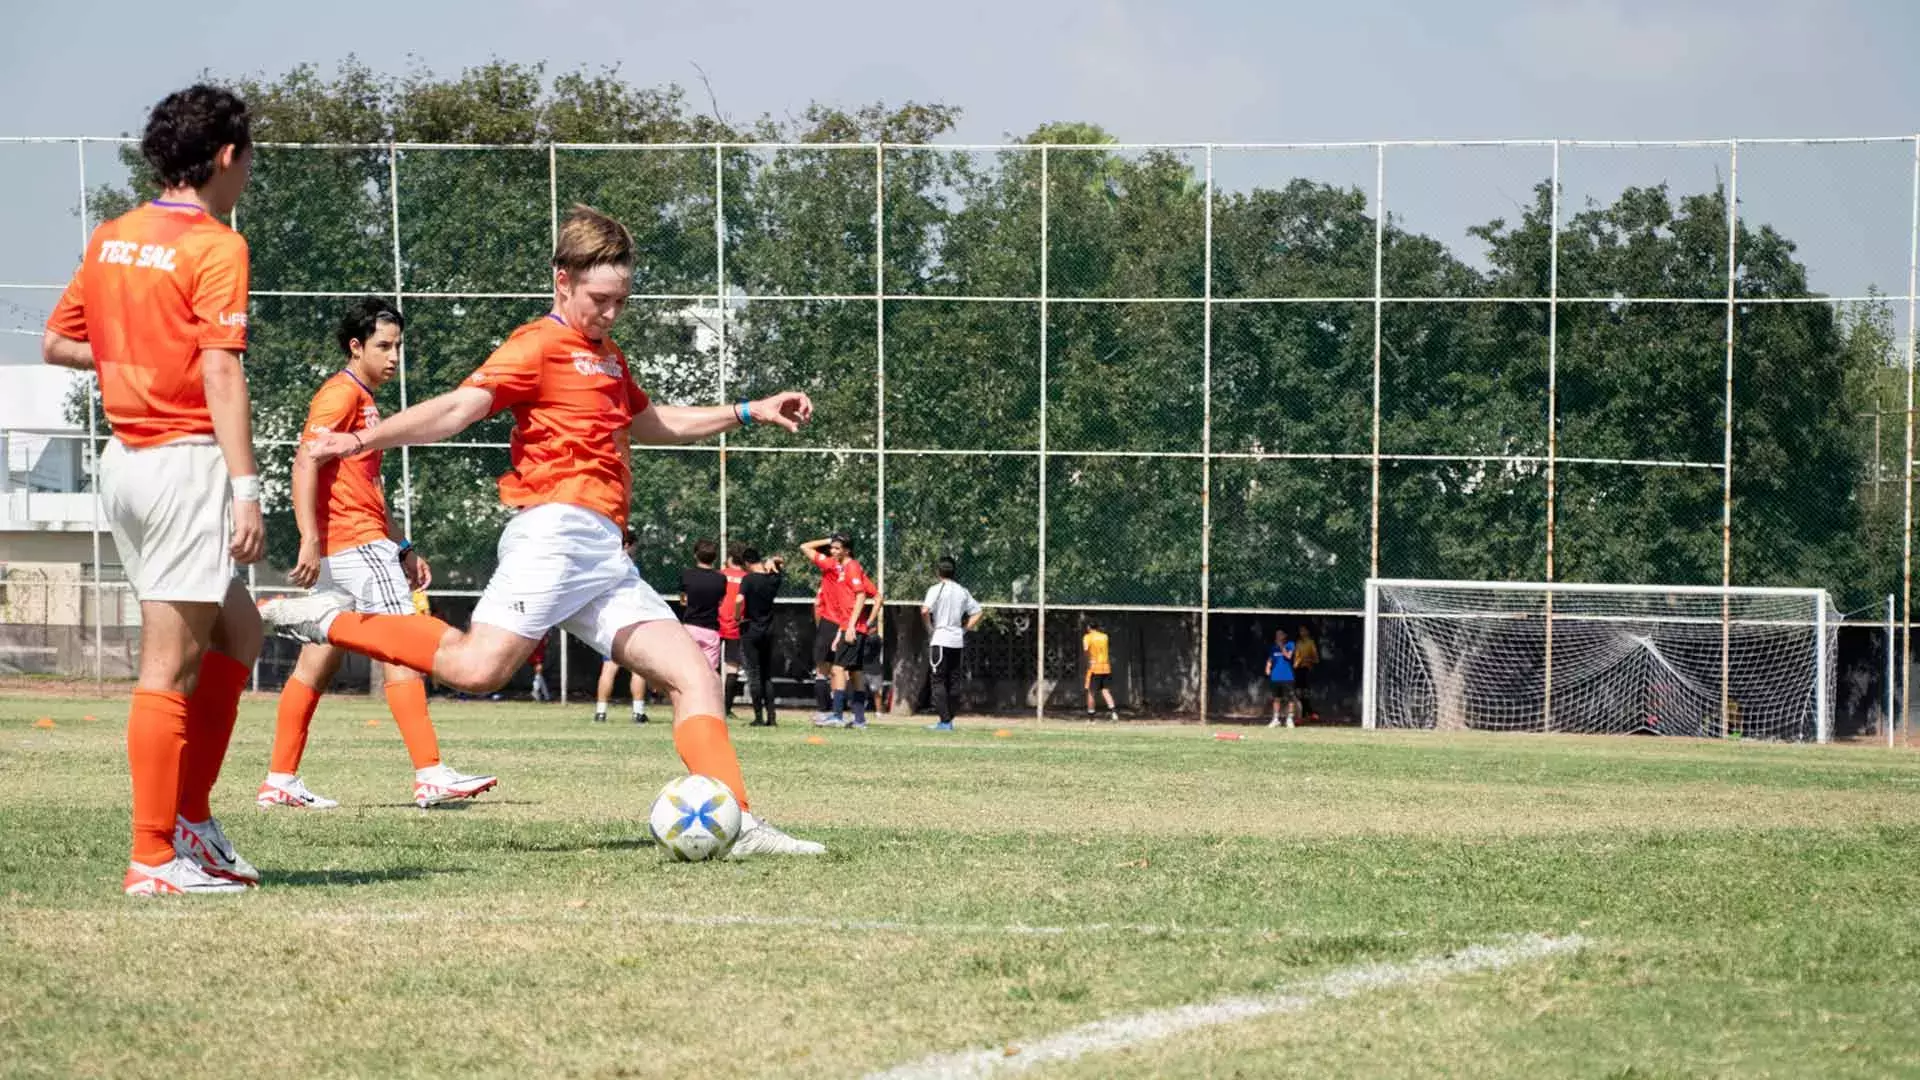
(573, 403)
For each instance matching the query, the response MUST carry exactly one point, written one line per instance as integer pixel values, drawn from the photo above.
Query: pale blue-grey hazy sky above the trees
(1149, 72)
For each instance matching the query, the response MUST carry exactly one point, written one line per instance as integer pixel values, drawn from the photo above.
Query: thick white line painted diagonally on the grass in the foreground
(1122, 1033)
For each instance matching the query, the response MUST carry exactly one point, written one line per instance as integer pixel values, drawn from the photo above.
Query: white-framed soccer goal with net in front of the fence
(1600, 658)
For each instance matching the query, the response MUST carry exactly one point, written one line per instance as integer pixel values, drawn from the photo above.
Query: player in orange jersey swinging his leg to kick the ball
(562, 564)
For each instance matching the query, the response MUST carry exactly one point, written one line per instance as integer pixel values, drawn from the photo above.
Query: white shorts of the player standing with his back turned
(172, 516)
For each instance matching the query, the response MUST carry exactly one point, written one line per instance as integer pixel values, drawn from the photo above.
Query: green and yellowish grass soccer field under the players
(1744, 910)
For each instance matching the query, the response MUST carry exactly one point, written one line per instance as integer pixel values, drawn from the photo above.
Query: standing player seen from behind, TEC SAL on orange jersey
(158, 314)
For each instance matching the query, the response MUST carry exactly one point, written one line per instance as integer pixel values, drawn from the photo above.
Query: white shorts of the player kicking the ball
(564, 566)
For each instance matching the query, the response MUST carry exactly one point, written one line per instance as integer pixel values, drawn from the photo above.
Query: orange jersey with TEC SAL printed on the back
(158, 285)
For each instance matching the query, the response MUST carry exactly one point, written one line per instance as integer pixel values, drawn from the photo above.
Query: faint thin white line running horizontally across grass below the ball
(756, 921)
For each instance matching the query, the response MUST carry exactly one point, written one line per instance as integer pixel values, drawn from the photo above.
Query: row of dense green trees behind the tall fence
(815, 226)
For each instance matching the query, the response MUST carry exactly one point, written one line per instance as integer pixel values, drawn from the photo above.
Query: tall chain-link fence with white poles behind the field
(1195, 393)
